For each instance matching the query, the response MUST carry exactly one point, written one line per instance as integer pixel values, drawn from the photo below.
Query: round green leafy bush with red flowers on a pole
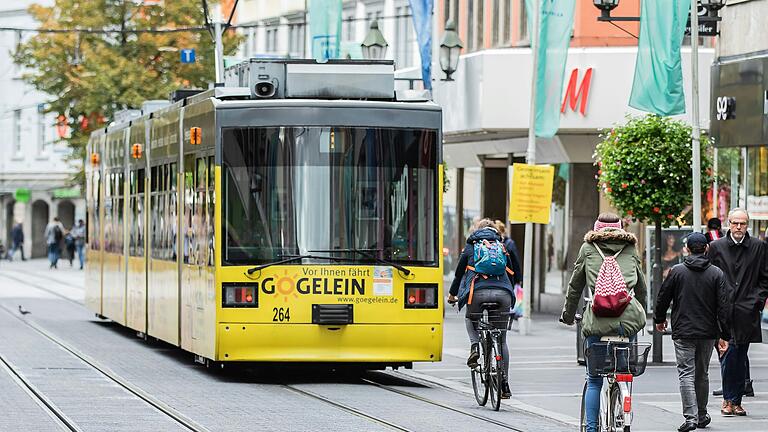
(644, 168)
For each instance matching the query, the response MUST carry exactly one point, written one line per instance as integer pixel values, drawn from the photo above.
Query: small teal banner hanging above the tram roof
(325, 28)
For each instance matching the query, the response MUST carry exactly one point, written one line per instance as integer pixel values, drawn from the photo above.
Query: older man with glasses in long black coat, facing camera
(742, 258)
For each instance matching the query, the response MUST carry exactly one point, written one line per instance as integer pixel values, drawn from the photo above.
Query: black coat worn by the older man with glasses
(746, 276)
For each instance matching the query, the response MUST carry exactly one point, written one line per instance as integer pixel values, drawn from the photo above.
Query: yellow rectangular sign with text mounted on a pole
(531, 197)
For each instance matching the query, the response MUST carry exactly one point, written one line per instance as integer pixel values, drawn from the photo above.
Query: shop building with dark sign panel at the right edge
(739, 115)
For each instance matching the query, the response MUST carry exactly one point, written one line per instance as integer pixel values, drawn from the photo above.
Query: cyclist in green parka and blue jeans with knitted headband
(607, 237)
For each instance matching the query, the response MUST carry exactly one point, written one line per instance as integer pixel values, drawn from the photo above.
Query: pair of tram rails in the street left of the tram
(157, 404)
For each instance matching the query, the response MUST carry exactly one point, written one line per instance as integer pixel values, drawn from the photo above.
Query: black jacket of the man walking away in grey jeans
(700, 300)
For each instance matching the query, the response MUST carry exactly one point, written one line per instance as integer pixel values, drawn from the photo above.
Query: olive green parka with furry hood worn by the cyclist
(610, 241)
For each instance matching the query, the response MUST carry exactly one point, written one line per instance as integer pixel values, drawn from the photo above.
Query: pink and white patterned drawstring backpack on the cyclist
(611, 295)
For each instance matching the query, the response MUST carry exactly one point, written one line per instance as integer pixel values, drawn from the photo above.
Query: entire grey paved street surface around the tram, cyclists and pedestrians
(545, 380)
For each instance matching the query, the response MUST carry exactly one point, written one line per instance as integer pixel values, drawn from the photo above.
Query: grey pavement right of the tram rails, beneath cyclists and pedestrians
(546, 380)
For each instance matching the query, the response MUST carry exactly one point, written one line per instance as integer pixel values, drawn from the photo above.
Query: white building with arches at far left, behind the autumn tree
(34, 174)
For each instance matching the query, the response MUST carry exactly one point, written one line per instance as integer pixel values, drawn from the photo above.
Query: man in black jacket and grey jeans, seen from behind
(700, 313)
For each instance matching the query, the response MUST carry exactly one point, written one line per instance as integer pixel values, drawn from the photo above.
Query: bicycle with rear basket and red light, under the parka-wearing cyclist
(619, 360)
